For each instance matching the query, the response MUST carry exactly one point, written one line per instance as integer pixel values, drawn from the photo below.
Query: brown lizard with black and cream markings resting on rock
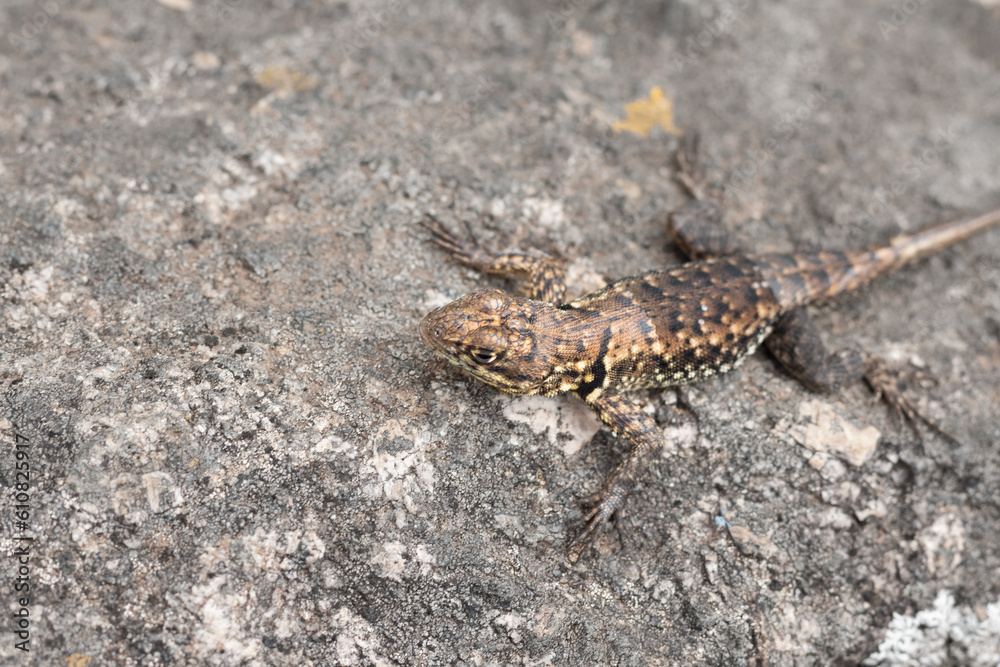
(664, 328)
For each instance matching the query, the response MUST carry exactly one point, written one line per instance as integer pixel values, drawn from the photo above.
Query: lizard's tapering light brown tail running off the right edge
(808, 277)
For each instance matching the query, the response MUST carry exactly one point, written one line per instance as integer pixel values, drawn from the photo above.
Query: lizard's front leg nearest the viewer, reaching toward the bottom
(626, 419)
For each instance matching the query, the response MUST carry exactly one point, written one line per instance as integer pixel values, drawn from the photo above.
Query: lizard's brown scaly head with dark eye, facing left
(497, 338)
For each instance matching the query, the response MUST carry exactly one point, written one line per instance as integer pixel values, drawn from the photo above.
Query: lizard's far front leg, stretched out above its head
(540, 276)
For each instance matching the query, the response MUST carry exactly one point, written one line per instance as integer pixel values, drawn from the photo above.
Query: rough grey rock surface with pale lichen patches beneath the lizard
(240, 453)
